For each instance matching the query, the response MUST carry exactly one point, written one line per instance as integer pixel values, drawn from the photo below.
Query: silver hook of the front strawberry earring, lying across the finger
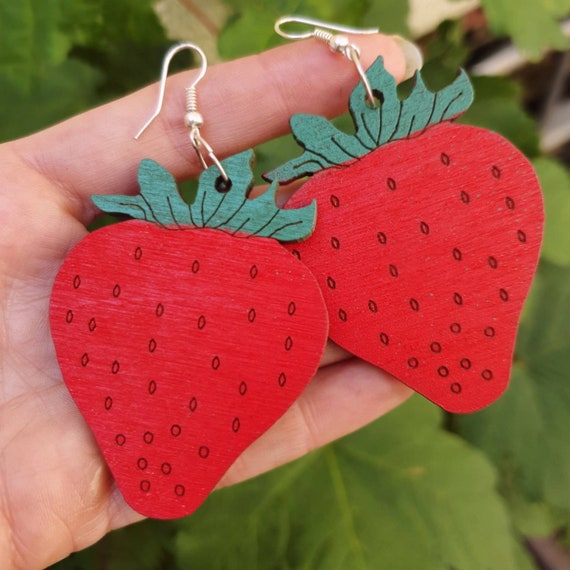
(193, 119)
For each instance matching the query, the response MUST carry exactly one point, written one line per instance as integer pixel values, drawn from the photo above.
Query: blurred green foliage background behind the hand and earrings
(418, 489)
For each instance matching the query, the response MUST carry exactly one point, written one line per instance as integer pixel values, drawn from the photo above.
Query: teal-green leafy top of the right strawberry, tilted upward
(392, 119)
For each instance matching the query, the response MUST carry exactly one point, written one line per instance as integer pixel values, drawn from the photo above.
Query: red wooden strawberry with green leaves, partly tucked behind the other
(428, 238)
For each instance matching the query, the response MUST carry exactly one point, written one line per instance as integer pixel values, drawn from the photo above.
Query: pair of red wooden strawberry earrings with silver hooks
(203, 329)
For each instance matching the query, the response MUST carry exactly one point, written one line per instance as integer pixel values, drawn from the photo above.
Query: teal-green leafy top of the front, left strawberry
(219, 204)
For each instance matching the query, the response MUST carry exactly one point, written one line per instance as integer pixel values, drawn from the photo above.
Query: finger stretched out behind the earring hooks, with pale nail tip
(244, 102)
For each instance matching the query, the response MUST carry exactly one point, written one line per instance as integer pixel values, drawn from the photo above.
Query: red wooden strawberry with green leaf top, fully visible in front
(184, 337)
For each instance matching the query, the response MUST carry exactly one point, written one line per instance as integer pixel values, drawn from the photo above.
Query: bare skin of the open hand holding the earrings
(56, 494)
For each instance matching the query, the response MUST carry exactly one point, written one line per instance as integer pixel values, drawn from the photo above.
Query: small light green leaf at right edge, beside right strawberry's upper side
(555, 182)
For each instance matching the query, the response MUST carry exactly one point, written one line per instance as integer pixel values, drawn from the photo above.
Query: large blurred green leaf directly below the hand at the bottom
(398, 495)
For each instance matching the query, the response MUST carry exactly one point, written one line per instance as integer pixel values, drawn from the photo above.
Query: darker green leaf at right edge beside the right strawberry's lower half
(526, 431)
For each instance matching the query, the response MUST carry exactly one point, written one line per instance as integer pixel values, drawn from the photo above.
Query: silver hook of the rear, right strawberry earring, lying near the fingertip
(338, 43)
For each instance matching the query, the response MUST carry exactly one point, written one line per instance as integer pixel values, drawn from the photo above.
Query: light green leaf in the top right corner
(532, 24)
